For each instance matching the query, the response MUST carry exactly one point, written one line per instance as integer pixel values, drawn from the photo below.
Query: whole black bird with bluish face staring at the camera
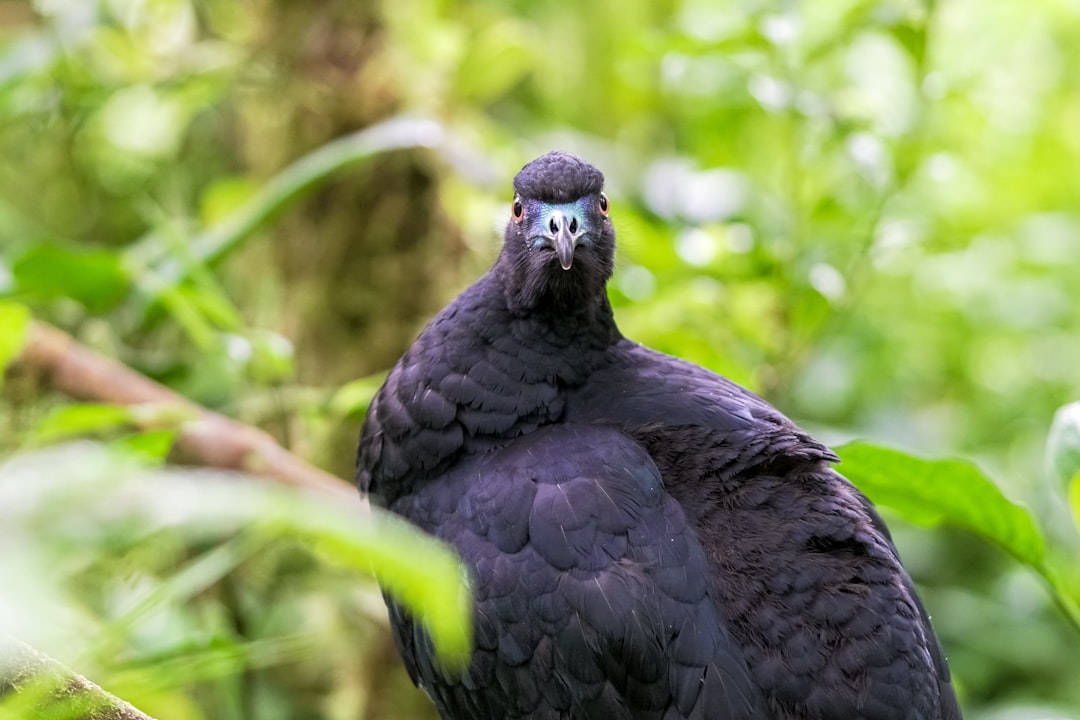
(645, 539)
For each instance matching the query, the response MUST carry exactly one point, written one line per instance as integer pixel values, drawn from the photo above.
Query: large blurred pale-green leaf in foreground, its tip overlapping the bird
(78, 496)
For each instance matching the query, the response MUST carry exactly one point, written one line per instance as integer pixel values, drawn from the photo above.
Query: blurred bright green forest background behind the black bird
(866, 211)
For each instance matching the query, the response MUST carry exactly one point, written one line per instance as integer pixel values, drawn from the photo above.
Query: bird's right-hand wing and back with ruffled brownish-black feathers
(811, 583)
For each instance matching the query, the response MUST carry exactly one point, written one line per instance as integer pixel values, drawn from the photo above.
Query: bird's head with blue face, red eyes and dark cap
(560, 242)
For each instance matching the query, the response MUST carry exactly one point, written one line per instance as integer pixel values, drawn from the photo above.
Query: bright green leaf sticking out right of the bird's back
(943, 492)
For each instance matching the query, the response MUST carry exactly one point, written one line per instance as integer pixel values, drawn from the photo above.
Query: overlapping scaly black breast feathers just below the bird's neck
(476, 379)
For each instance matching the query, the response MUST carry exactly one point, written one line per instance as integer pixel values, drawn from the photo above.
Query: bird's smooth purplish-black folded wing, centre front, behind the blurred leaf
(591, 591)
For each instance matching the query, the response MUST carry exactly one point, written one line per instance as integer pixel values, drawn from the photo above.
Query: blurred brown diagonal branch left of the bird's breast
(209, 440)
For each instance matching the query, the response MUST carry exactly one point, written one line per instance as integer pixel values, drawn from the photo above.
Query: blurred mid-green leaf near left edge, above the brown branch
(96, 279)
